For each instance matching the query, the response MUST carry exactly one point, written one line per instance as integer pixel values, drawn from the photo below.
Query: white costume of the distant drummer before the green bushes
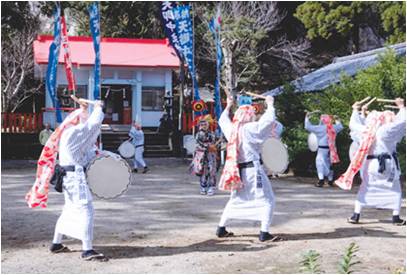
(322, 161)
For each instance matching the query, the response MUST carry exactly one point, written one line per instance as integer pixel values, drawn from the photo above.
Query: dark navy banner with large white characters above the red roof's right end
(167, 17)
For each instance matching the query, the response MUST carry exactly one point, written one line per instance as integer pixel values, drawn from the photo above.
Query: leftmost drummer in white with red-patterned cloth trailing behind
(74, 140)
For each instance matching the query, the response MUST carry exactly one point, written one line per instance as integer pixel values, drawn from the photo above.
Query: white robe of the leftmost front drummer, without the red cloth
(77, 148)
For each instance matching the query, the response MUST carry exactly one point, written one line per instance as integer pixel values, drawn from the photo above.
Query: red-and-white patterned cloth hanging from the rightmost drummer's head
(373, 122)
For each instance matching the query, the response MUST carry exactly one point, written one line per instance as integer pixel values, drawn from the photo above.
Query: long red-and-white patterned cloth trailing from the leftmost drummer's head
(38, 194)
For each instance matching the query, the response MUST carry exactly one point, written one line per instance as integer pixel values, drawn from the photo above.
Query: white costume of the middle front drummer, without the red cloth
(255, 201)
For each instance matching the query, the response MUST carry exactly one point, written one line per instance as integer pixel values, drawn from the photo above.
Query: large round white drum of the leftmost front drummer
(108, 175)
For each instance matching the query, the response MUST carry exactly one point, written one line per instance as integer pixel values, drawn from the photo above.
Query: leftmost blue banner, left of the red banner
(51, 79)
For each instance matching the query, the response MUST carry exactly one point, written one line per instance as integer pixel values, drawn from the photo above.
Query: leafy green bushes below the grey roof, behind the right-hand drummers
(384, 80)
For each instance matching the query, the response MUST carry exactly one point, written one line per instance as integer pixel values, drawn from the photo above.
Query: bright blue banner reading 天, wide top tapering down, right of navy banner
(183, 27)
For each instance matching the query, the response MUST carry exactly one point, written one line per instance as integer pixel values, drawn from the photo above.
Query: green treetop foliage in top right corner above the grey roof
(342, 20)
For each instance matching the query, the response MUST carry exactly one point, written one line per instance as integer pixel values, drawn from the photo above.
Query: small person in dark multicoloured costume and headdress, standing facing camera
(204, 163)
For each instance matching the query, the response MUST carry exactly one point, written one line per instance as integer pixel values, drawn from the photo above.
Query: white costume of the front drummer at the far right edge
(381, 190)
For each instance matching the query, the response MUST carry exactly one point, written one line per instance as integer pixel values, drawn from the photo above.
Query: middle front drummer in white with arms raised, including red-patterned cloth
(252, 197)
